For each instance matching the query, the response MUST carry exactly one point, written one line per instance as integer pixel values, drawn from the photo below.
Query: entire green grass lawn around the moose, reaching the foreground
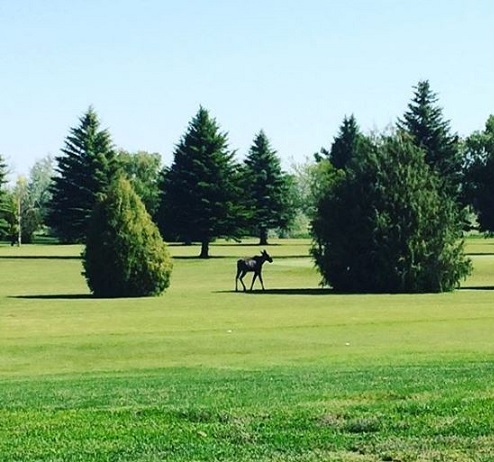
(295, 373)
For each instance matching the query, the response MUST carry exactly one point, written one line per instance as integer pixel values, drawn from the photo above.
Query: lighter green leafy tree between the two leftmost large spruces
(143, 170)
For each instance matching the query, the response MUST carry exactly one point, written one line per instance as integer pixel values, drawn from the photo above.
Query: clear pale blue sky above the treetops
(293, 68)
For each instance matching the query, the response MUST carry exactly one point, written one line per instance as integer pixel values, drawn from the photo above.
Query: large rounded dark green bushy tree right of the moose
(387, 226)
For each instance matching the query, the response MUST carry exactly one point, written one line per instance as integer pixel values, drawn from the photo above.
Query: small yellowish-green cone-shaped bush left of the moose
(124, 254)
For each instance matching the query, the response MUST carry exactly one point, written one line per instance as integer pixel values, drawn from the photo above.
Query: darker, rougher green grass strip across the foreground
(431, 412)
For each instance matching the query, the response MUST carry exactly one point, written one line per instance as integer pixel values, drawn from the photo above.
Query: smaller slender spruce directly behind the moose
(267, 189)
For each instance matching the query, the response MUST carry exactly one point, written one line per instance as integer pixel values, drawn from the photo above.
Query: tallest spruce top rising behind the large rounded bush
(425, 124)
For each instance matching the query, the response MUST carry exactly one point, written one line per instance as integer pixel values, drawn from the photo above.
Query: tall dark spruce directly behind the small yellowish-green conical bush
(84, 169)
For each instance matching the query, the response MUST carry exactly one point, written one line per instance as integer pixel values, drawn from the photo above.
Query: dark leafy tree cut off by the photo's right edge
(479, 187)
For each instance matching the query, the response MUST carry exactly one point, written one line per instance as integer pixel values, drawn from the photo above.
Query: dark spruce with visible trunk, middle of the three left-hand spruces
(200, 199)
